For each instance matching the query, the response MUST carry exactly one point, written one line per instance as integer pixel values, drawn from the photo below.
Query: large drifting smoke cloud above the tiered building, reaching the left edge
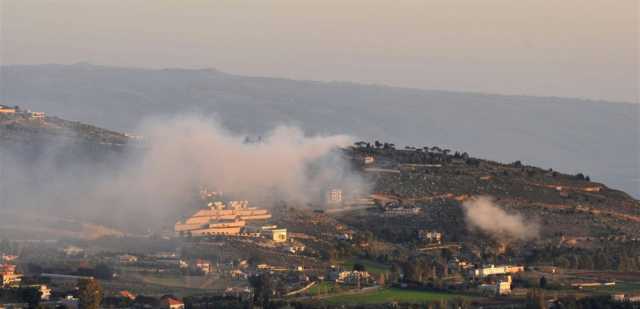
(156, 181)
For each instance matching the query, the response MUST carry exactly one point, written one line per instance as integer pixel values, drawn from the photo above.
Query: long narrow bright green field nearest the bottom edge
(392, 295)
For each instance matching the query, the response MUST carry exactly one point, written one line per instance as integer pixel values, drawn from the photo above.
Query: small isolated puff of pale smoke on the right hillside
(482, 213)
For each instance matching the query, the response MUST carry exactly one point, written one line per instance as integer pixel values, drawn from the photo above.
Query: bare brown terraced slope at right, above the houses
(564, 205)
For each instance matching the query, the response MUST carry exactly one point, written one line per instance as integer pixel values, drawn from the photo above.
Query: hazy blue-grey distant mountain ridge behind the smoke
(600, 139)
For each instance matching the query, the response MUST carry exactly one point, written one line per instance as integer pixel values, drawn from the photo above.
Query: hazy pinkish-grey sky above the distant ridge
(574, 48)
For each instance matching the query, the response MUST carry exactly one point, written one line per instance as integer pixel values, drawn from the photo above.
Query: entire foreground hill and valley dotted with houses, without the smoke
(408, 242)
